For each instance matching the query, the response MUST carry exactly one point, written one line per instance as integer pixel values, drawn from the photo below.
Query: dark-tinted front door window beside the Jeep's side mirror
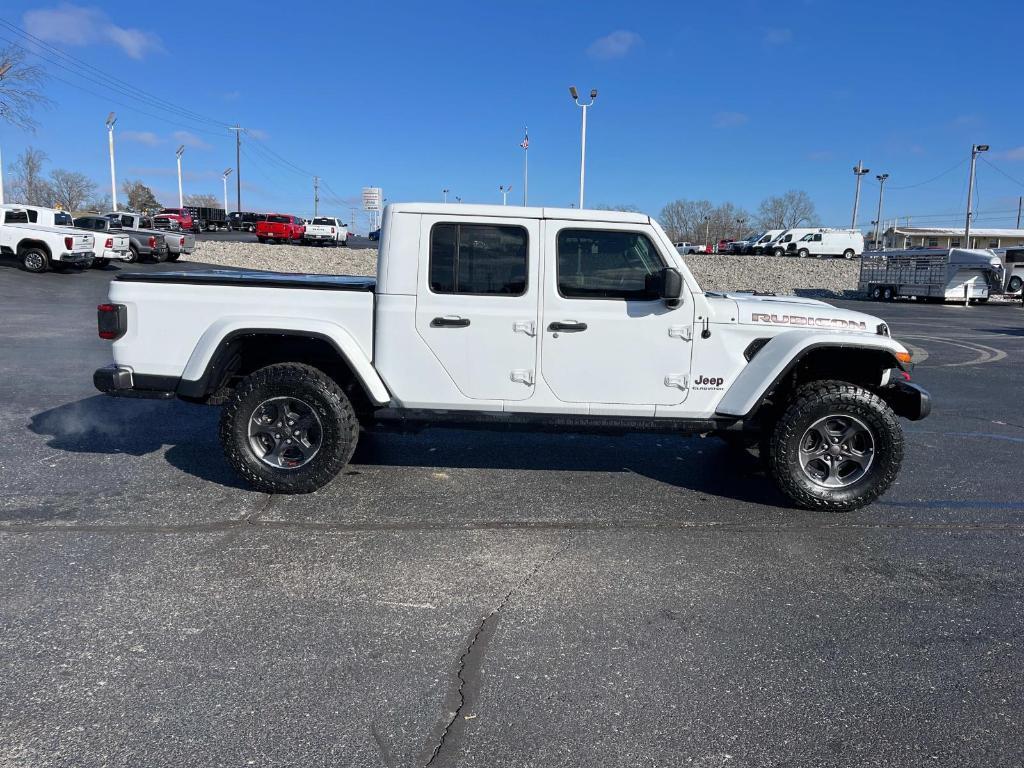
(606, 265)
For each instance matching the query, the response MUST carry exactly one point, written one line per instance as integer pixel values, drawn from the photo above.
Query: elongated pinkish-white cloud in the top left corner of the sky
(78, 25)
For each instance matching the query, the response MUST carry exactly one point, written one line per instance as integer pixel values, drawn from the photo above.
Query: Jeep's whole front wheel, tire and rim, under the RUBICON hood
(837, 447)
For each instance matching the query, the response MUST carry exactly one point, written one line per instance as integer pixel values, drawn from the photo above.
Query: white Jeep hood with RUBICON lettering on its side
(796, 312)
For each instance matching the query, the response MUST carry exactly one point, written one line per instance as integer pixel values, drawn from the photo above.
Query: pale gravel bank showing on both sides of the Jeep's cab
(826, 278)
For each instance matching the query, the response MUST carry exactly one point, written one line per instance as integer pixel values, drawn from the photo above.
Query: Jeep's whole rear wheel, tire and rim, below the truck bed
(288, 429)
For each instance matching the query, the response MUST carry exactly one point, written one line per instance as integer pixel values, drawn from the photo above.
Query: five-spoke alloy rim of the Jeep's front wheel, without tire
(837, 451)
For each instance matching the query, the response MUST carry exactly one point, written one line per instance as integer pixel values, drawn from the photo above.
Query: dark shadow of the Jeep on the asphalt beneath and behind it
(140, 428)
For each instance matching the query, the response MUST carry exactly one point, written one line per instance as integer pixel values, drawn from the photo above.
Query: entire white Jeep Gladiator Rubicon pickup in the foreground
(534, 318)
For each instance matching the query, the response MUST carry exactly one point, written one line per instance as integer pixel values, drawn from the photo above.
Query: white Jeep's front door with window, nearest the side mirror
(608, 337)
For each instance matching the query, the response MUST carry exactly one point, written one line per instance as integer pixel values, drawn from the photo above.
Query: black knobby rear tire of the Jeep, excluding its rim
(337, 417)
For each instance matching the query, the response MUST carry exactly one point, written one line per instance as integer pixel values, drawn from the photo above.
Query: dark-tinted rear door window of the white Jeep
(481, 260)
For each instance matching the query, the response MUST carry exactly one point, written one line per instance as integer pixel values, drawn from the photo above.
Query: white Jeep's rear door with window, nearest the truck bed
(478, 303)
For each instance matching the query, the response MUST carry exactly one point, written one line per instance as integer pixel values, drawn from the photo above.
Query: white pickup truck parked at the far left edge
(40, 246)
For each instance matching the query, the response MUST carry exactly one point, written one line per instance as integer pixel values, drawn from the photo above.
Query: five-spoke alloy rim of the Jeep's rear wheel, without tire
(285, 433)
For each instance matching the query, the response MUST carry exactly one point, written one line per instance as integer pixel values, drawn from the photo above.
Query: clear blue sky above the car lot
(727, 102)
